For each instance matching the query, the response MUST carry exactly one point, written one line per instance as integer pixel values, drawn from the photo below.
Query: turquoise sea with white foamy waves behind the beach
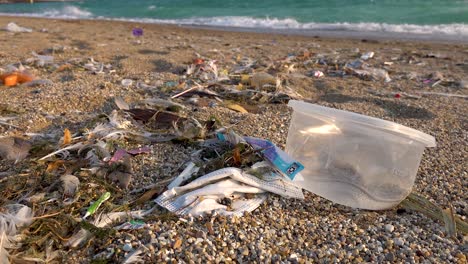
(448, 17)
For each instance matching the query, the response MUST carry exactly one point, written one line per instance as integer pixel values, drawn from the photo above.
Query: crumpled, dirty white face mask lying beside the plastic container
(204, 194)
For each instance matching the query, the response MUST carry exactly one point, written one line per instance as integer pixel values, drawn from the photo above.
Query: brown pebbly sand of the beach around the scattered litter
(281, 230)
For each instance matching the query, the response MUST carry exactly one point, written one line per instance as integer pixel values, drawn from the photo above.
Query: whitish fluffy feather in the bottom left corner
(14, 217)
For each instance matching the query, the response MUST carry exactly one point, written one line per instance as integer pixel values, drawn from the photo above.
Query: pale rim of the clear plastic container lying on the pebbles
(377, 123)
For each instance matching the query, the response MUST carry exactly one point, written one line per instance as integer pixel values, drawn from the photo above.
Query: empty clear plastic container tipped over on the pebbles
(353, 159)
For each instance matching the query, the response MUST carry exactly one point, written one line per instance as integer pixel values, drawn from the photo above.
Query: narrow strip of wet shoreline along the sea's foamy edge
(334, 34)
